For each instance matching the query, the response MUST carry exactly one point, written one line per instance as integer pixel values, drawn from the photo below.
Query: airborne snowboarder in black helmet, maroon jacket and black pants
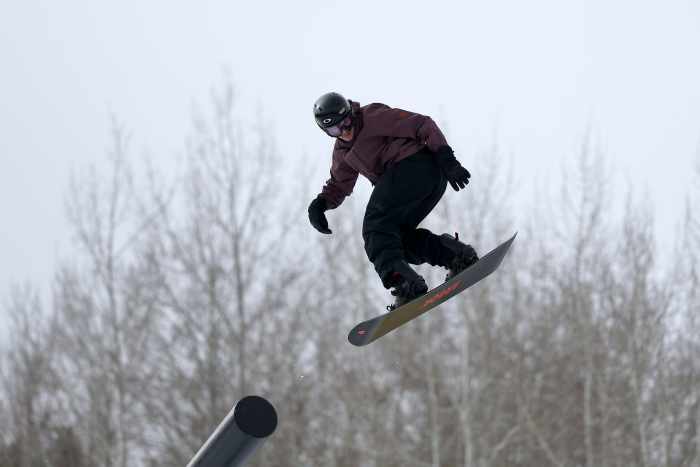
(408, 161)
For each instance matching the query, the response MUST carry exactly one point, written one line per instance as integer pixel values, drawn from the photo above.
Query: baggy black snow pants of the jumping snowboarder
(404, 195)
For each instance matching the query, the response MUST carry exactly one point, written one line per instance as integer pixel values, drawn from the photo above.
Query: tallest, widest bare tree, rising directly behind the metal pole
(226, 285)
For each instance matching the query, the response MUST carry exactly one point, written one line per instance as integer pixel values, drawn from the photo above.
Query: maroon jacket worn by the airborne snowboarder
(383, 136)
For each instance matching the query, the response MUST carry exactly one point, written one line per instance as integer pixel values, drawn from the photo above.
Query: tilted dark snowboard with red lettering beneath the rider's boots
(372, 329)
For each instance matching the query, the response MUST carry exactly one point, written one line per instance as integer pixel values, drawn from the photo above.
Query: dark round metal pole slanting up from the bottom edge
(242, 431)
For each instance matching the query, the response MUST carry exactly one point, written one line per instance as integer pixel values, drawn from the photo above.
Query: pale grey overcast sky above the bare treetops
(531, 75)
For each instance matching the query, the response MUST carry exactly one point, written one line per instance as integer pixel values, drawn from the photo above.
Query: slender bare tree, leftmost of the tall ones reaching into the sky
(103, 336)
